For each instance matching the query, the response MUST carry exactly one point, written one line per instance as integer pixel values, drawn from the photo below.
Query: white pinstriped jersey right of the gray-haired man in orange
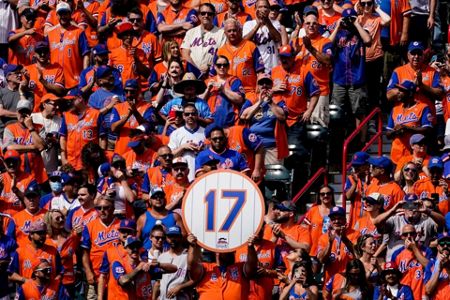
(266, 46)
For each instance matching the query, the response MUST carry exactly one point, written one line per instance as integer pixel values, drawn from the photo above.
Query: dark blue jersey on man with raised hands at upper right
(349, 59)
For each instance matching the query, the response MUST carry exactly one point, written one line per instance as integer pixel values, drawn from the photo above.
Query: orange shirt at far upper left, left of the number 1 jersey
(21, 51)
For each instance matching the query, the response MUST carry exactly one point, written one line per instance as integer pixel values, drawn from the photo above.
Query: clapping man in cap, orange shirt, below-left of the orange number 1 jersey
(45, 77)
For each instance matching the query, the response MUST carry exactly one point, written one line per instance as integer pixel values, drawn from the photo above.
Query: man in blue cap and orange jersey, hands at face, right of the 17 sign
(336, 246)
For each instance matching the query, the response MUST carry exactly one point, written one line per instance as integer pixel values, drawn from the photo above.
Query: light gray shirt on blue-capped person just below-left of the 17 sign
(168, 281)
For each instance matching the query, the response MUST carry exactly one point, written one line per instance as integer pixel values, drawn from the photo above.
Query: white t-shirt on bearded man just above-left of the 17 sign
(182, 136)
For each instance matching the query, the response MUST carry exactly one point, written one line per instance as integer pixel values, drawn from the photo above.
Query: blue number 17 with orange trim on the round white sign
(210, 200)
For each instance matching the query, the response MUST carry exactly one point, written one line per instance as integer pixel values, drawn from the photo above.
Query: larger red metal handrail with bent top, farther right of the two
(378, 136)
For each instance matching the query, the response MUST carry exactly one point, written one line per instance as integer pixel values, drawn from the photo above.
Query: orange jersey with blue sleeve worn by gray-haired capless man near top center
(245, 62)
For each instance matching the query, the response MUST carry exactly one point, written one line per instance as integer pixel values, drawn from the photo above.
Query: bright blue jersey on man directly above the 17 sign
(229, 159)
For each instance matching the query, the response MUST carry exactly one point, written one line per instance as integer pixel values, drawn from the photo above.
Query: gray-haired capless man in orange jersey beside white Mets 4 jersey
(243, 55)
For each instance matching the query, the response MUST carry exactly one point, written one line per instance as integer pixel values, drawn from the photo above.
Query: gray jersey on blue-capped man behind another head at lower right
(426, 230)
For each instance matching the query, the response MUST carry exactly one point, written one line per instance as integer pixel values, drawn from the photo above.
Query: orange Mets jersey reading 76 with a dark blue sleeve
(300, 86)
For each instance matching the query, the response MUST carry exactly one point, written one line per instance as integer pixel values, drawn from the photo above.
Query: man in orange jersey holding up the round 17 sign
(224, 279)
